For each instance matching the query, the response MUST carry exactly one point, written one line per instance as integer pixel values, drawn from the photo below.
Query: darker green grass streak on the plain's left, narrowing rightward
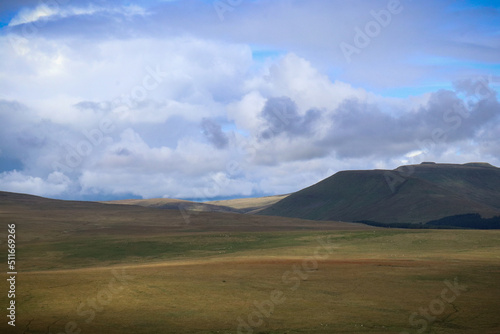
(85, 252)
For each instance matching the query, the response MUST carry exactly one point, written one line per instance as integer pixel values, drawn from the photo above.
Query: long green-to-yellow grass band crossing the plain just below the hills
(381, 243)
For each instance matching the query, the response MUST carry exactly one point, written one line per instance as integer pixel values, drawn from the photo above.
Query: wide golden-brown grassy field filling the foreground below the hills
(364, 281)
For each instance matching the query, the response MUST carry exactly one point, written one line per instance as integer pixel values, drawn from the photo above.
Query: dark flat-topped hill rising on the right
(406, 195)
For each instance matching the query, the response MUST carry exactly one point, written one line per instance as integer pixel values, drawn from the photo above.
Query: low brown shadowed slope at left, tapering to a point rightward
(38, 219)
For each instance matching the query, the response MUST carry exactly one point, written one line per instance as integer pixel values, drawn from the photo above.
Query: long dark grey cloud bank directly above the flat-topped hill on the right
(363, 130)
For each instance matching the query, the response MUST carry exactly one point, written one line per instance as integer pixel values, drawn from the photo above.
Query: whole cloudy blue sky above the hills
(201, 99)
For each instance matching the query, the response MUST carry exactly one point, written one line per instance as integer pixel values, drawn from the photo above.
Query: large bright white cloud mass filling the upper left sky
(147, 80)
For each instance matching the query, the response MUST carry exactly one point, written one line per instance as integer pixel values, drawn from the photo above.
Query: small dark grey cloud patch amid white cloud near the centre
(281, 116)
